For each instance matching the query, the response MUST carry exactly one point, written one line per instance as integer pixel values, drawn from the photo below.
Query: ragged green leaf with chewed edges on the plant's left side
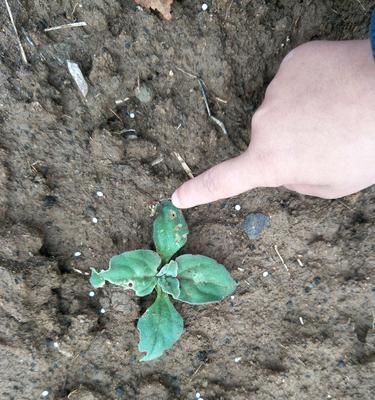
(133, 270)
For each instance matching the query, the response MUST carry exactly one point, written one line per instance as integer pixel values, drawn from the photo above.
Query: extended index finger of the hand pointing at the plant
(227, 179)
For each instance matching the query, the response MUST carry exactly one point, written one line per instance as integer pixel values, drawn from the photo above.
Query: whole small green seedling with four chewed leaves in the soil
(193, 279)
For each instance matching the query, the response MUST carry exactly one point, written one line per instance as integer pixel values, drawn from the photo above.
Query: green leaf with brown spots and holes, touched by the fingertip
(170, 230)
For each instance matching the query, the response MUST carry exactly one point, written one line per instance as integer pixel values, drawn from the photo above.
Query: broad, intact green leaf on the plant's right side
(202, 280)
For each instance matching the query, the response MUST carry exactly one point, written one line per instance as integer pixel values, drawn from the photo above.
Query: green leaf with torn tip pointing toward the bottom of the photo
(159, 327)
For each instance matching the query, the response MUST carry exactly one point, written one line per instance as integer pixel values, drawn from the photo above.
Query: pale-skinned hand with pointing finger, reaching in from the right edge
(314, 133)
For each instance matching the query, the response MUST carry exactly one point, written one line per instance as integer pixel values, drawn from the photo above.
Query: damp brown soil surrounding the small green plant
(303, 334)
